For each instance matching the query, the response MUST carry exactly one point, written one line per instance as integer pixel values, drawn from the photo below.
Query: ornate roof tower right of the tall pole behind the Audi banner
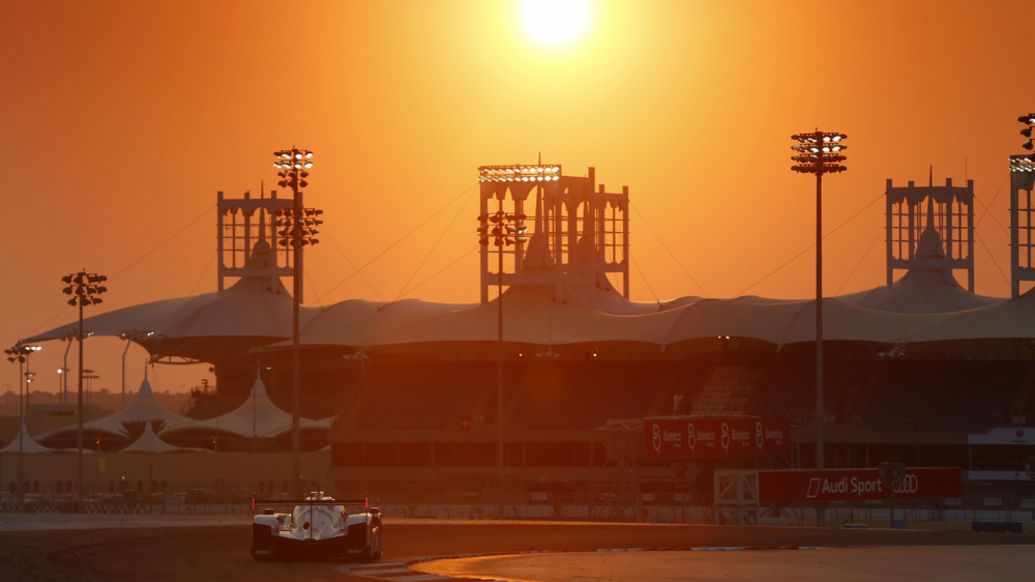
(931, 227)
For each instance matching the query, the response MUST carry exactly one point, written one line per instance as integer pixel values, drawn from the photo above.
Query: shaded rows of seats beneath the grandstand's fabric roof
(951, 396)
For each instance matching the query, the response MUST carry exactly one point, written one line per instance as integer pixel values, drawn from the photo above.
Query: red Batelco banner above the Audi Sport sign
(693, 438)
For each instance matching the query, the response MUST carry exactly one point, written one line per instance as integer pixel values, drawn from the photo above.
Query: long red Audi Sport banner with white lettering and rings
(844, 485)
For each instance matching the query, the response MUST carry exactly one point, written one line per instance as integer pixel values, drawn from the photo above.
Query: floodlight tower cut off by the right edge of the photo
(1022, 181)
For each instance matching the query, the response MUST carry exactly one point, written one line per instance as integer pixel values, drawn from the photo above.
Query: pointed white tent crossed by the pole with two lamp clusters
(257, 418)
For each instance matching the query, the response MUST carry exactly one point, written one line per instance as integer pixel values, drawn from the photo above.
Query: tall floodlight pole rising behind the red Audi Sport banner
(819, 154)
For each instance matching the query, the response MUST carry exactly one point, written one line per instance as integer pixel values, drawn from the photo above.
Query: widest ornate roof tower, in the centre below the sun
(578, 235)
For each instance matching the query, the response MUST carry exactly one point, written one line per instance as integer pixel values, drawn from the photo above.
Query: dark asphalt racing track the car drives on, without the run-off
(201, 554)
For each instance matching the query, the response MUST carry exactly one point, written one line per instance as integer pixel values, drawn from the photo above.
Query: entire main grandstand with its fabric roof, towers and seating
(921, 371)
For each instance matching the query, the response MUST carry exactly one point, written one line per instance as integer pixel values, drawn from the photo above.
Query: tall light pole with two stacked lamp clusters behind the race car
(298, 229)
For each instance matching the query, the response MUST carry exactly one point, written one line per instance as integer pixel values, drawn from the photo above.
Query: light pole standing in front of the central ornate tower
(501, 230)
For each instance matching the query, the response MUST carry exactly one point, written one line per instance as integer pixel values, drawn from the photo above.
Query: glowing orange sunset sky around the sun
(122, 120)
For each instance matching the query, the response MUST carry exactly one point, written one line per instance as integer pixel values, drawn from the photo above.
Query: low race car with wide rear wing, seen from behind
(318, 528)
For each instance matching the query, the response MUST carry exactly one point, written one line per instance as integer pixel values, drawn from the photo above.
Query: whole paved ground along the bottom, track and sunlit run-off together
(520, 550)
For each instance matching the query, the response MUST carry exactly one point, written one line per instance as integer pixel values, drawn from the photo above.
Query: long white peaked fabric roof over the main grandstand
(925, 306)
